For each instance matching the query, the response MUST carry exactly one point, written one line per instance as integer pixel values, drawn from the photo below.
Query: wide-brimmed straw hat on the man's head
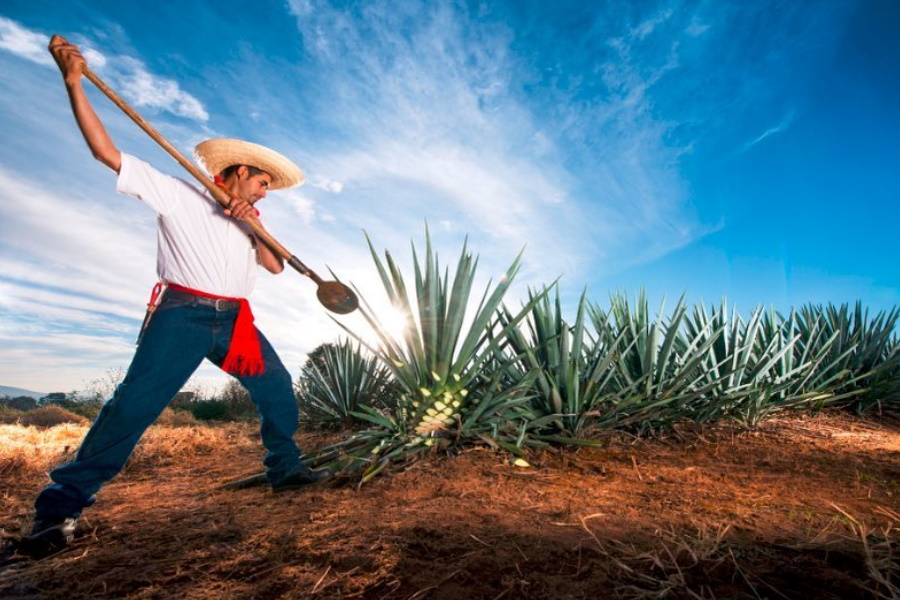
(217, 154)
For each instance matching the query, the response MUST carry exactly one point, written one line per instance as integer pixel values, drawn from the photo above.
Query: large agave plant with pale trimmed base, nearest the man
(451, 387)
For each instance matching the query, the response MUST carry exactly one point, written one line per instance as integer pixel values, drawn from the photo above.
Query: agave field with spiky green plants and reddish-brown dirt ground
(620, 451)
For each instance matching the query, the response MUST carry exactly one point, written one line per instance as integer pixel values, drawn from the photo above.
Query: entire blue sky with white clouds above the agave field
(747, 149)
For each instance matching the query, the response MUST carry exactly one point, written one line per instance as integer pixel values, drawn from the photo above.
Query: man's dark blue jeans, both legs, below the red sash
(177, 339)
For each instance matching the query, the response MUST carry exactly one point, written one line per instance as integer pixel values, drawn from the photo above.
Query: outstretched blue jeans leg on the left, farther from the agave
(174, 344)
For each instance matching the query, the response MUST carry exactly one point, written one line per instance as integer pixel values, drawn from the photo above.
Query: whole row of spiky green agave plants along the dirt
(515, 378)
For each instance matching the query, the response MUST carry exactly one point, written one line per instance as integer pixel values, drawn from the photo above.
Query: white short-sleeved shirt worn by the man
(198, 246)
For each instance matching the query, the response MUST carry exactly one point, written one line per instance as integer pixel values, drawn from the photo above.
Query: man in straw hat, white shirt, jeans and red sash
(207, 260)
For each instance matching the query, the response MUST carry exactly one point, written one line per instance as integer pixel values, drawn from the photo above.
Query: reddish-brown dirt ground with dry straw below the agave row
(799, 508)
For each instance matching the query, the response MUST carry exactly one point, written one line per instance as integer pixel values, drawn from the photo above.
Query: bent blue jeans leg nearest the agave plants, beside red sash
(273, 394)
